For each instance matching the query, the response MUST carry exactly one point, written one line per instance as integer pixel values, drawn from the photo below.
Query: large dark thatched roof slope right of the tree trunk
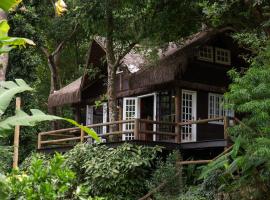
(172, 64)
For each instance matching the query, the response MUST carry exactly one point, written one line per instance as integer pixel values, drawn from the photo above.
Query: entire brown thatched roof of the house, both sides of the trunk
(146, 78)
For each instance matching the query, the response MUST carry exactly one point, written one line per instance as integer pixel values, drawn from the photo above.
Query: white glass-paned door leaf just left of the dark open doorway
(130, 111)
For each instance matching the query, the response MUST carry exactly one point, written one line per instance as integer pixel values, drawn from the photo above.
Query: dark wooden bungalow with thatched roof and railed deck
(176, 102)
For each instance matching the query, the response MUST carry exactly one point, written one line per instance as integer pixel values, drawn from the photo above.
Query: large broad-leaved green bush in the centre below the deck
(118, 173)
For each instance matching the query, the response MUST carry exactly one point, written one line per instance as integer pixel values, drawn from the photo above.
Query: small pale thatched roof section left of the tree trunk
(67, 95)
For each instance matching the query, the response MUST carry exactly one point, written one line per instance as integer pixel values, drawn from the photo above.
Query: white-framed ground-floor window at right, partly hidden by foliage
(216, 107)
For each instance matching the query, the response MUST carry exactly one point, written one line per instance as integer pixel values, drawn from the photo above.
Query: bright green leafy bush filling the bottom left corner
(41, 181)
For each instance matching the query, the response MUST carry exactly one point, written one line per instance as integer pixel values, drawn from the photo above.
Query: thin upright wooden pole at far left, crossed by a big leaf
(16, 137)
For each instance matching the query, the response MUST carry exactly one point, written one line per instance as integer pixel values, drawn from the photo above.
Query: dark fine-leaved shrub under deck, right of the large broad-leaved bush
(166, 171)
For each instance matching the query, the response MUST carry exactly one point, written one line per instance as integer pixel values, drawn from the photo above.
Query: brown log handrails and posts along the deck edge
(68, 134)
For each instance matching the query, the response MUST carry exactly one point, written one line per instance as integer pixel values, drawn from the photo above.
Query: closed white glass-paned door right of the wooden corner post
(189, 102)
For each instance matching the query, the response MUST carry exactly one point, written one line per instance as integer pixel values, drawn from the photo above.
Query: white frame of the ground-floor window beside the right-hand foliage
(222, 112)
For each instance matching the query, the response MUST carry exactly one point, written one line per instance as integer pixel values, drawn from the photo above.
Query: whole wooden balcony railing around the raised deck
(138, 129)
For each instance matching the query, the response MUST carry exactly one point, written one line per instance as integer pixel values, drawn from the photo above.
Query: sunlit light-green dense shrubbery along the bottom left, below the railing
(43, 178)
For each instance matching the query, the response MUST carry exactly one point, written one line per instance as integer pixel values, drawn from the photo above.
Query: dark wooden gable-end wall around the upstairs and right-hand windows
(211, 74)
